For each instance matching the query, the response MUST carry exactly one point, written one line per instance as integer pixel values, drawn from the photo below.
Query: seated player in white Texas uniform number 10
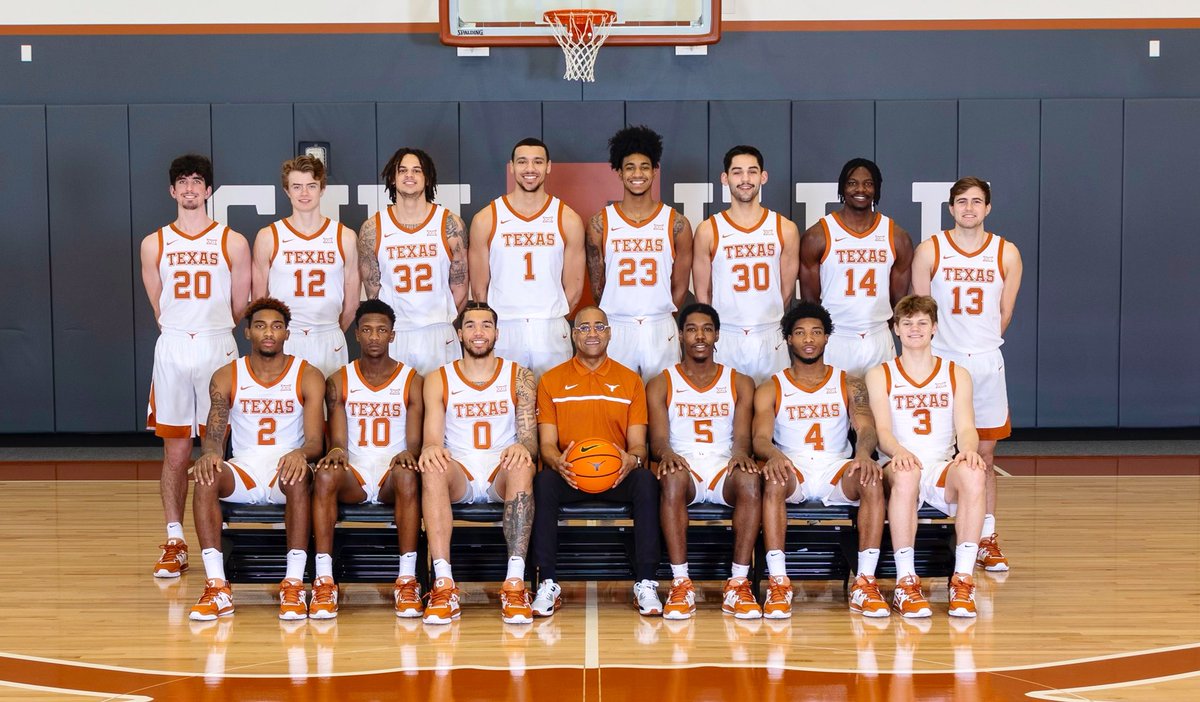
(375, 425)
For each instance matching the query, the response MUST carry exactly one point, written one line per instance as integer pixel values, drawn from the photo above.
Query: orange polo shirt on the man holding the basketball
(585, 404)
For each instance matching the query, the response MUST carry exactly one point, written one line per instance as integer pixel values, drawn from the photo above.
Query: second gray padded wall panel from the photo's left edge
(92, 289)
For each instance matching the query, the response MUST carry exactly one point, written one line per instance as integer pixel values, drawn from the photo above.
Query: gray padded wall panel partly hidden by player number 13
(999, 141)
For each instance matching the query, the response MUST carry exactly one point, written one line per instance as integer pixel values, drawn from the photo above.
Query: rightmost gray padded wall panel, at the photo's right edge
(1160, 277)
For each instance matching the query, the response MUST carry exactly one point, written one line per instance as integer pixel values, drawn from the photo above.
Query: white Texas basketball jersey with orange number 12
(308, 273)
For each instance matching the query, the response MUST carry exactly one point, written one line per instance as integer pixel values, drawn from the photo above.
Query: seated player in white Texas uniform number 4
(803, 417)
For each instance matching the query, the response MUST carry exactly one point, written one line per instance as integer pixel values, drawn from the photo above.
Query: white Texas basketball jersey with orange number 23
(638, 260)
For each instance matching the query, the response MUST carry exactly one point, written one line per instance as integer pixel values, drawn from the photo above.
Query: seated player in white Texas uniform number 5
(700, 433)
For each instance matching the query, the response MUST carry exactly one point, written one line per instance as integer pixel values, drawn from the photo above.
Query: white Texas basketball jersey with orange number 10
(376, 417)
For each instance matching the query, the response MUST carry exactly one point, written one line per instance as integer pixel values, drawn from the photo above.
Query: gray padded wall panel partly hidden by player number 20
(158, 135)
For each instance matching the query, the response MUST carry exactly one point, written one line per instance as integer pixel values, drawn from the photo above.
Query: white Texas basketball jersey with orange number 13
(968, 289)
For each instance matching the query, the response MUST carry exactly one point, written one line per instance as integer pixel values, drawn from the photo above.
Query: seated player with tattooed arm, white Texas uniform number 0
(481, 447)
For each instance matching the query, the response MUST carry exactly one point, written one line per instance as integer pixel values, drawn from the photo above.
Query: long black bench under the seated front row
(596, 543)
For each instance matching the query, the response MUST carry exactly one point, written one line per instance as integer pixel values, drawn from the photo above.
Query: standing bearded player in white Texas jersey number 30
(747, 269)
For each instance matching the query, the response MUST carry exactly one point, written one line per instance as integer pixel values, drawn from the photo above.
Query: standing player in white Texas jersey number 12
(311, 265)
